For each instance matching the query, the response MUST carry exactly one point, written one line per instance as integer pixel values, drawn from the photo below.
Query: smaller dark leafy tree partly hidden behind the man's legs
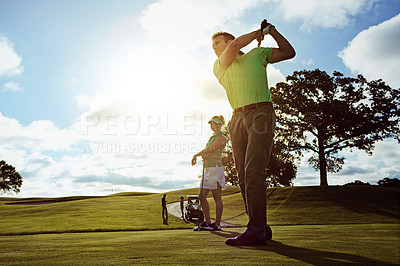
(280, 171)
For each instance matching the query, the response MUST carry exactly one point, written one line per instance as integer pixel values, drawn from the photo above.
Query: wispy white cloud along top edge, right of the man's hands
(326, 14)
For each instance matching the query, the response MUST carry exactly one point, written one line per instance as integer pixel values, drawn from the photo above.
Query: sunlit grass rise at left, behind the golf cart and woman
(119, 212)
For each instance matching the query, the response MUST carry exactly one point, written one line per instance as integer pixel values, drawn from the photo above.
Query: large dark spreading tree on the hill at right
(324, 115)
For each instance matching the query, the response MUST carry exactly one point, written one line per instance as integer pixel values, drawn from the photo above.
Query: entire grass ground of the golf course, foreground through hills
(311, 225)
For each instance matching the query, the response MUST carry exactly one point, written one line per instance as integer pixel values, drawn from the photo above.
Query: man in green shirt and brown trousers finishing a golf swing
(252, 126)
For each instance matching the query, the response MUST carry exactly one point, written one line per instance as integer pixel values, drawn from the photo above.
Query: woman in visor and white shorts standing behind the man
(214, 178)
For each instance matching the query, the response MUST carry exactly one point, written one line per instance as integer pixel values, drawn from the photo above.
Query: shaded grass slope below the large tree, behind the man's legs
(322, 205)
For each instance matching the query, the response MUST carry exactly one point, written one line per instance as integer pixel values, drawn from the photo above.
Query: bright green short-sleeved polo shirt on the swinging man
(245, 80)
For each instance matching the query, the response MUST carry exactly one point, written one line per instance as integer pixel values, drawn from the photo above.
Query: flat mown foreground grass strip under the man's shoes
(367, 244)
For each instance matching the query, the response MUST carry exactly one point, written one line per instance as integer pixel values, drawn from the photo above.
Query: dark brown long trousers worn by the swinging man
(252, 133)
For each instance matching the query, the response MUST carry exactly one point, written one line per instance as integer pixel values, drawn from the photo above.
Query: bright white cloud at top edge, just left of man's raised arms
(189, 24)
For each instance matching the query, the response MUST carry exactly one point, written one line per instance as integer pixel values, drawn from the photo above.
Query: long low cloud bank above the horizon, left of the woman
(60, 162)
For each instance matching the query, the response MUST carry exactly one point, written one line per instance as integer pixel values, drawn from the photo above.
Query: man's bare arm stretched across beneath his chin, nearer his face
(229, 54)
